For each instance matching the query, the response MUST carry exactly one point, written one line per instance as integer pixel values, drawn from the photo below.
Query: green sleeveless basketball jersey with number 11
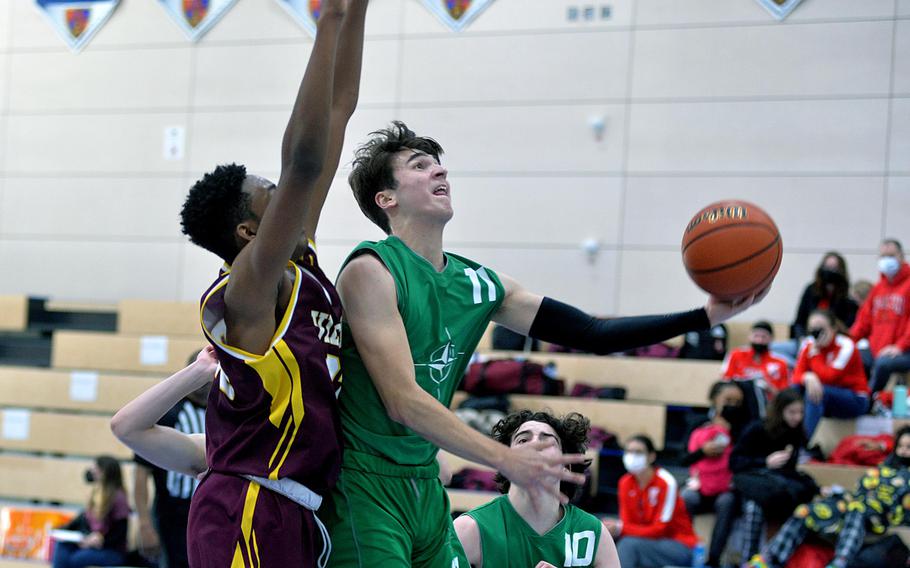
(445, 314)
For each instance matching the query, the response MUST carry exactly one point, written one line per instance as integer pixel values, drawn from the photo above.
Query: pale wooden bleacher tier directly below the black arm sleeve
(668, 381)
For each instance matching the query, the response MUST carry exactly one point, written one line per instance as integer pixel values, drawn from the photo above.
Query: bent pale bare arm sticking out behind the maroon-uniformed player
(136, 423)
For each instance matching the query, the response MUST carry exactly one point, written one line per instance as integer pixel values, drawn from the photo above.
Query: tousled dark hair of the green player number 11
(373, 171)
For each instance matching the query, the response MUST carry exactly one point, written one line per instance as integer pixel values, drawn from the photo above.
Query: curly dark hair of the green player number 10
(572, 430)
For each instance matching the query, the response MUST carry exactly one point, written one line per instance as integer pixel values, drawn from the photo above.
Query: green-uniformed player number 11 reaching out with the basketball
(413, 316)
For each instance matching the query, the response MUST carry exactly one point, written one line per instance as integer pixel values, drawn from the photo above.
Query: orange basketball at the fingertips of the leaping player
(732, 249)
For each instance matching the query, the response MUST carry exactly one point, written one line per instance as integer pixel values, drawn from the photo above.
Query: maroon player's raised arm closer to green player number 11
(346, 92)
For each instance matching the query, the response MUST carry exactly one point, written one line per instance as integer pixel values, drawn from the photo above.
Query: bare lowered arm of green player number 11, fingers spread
(370, 303)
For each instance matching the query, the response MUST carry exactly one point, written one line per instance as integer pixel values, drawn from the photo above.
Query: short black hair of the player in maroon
(214, 207)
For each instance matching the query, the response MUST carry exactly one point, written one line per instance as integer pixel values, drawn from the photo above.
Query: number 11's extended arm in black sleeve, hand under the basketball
(547, 319)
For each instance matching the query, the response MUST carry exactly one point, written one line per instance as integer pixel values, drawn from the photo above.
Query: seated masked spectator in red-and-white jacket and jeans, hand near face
(830, 372)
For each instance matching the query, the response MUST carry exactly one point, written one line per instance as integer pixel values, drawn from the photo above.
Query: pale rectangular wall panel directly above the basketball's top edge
(778, 136)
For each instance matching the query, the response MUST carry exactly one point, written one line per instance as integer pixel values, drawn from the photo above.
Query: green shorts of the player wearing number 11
(384, 514)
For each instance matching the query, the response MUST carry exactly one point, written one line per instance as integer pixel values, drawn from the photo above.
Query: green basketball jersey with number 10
(507, 540)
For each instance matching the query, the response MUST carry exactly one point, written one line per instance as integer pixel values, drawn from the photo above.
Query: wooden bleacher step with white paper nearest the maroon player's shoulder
(120, 352)
